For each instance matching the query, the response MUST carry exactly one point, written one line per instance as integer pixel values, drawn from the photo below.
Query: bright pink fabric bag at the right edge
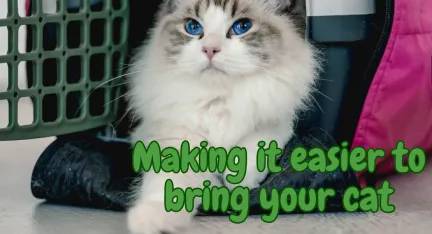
(399, 102)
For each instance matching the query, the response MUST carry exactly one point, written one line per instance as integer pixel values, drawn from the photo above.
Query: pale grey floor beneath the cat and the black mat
(20, 213)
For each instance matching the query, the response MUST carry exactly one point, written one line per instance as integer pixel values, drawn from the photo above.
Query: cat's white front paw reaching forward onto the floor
(151, 218)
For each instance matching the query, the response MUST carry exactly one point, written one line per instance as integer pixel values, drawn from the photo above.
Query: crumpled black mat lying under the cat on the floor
(82, 170)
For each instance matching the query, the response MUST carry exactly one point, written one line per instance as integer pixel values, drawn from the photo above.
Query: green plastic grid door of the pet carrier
(74, 51)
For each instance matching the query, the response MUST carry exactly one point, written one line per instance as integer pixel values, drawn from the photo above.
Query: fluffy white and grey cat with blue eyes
(230, 72)
